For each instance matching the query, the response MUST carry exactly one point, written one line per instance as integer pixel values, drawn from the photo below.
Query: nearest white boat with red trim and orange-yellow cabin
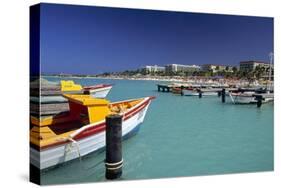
(57, 139)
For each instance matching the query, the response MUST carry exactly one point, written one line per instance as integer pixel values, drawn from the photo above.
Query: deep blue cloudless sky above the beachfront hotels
(91, 40)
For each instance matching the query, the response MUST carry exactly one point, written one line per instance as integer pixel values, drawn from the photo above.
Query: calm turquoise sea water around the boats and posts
(181, 136)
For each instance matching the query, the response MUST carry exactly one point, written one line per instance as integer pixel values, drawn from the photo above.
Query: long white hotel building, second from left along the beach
(175, 68)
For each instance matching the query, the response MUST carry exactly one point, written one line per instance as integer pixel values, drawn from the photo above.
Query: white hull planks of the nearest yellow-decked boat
(59, 154)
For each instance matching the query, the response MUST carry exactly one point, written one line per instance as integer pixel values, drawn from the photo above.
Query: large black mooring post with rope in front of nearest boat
(113, 160)
